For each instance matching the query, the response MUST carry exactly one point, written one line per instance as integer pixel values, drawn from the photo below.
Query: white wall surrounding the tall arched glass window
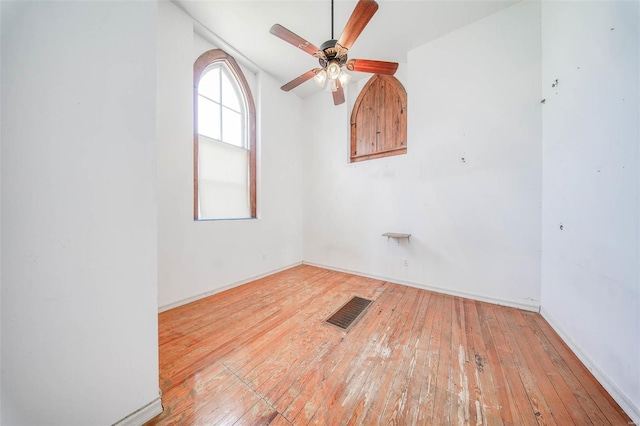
(197, 258)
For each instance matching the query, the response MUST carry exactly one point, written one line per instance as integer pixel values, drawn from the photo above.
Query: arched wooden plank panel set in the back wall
(379, 119)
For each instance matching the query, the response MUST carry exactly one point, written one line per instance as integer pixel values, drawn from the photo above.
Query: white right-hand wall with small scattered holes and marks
(590, 277)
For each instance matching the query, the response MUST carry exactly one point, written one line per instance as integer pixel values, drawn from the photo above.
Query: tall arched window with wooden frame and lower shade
(224, 139)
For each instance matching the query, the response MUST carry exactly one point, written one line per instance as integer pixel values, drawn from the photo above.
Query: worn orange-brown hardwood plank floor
(261, 353)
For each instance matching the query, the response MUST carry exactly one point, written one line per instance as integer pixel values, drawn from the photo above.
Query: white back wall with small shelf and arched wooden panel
(475, 224)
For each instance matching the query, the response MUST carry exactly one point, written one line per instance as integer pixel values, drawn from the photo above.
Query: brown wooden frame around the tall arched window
(200, 67)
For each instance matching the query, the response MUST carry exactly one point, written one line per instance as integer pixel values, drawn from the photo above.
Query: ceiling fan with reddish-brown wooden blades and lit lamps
(332, 54)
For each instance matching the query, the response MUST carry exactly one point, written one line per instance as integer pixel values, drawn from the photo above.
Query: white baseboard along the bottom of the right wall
(616, 393)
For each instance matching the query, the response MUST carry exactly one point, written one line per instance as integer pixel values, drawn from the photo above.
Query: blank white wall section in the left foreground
(79, 260)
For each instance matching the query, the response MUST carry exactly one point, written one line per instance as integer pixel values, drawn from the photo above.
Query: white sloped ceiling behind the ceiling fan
(397, 27)
